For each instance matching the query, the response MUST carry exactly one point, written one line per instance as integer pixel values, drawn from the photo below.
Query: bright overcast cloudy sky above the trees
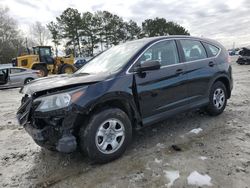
(226, 21)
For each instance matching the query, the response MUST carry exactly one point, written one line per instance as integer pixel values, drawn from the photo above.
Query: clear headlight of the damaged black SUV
(57, 101)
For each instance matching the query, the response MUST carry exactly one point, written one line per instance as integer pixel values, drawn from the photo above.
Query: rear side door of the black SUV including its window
(200, 70)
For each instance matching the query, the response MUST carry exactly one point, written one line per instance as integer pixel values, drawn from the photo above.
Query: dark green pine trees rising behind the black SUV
(87, 31)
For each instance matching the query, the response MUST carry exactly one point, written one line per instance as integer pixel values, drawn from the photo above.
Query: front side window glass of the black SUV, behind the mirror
(165, 52)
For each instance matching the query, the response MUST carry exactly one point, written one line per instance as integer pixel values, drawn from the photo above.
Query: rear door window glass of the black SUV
(193, 50)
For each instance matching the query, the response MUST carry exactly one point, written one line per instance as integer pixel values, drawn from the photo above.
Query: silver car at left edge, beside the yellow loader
(11, 77)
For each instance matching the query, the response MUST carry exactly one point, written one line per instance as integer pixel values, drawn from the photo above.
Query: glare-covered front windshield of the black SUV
(113, 59)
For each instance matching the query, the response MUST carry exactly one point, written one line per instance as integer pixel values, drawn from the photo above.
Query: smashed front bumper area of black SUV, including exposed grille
(51, 130)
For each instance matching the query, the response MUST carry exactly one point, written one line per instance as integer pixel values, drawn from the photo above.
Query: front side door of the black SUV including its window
(161, 91)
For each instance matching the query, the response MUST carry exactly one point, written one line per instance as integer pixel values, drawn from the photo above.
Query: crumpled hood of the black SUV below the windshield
(57, 81)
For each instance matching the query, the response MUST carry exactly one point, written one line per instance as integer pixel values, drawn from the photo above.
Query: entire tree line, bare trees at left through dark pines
(79, 33)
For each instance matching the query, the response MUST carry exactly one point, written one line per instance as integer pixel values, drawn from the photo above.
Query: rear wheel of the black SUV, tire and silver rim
(217, 99)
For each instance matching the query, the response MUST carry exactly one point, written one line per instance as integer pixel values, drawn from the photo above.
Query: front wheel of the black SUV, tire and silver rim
(106, 127)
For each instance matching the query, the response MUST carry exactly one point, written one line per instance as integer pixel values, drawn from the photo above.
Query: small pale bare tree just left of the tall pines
(40, 33)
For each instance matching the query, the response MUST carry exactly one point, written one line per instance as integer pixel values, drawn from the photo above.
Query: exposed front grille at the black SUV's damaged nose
(24, 110)
